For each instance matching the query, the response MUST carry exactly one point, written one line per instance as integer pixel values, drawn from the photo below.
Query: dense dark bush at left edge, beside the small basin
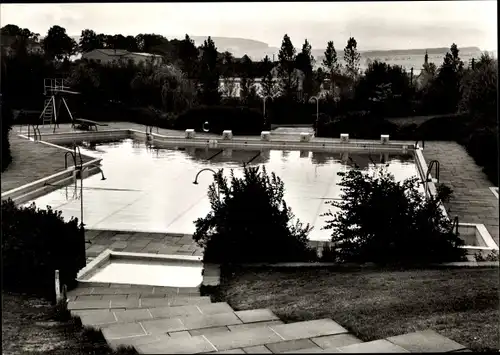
(37, 242)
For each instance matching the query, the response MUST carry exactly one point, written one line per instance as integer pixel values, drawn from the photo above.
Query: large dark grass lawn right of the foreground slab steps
(459, 303)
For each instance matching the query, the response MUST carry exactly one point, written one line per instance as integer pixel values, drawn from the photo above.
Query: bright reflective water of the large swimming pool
(152, 190)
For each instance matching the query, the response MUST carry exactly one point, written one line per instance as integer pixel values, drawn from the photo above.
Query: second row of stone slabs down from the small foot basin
(177, 300)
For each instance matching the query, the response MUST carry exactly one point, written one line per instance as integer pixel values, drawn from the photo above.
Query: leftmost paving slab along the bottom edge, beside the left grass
(191, 345)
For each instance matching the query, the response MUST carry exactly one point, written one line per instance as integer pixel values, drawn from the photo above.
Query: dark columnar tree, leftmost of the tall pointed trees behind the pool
(209, 74)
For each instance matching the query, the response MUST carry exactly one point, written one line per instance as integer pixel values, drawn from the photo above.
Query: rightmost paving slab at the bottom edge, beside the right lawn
(425, 341)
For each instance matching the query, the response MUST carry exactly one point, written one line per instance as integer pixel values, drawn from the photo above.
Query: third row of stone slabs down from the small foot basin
(106, 317)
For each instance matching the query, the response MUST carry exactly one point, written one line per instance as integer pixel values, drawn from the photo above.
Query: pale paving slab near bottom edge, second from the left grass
(243, 338)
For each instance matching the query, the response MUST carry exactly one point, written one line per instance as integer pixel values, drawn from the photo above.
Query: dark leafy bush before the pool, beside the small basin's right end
(250, 222)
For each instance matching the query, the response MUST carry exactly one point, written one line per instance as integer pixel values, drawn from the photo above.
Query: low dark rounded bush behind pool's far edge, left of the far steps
(240, 120)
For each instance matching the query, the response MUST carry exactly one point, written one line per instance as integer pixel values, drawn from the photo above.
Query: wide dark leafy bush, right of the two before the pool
(388, 222)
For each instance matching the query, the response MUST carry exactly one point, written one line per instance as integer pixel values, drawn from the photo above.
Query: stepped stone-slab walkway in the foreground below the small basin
(161, 320)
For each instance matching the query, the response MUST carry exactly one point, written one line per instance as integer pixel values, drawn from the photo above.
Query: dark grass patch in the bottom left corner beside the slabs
(31, 325)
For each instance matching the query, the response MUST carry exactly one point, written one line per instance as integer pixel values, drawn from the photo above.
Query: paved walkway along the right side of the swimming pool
(473, 201)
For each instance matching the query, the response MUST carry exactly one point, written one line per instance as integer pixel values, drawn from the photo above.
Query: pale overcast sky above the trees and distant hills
(375, 25)
